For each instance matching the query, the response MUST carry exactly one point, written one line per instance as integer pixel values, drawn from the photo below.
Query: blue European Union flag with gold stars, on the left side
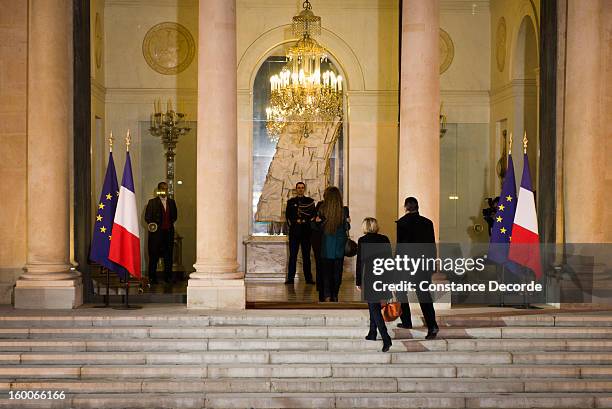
(105, 216)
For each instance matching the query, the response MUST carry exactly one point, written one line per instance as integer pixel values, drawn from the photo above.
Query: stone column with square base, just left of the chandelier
(216, 283)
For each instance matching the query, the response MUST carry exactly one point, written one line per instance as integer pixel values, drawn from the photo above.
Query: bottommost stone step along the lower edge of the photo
(323, 400)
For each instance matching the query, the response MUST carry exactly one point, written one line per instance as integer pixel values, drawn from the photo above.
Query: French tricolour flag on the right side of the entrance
(525, 240)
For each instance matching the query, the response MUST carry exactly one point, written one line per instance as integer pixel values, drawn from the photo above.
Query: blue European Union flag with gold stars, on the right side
(501, 233)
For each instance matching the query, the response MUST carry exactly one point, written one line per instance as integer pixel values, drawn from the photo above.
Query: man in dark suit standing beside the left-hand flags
(160, 216)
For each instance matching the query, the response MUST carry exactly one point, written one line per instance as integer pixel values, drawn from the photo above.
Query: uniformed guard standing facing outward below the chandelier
(299, 212)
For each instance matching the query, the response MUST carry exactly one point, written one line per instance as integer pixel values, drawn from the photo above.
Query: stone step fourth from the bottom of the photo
(302, 357)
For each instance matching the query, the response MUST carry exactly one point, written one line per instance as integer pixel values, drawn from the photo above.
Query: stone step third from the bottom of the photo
(316, 370)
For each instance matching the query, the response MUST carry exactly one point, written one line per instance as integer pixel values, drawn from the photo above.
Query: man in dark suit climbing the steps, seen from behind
(417, 233)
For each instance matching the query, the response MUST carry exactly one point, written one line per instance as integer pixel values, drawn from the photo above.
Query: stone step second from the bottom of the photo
(322, 385)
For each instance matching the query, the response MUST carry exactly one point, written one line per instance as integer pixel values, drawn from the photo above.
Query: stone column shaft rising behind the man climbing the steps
(419, 143)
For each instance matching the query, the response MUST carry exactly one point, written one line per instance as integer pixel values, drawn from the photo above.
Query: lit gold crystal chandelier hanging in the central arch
(300, 93)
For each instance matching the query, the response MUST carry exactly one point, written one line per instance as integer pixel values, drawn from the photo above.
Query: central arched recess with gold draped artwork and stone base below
(274, 170)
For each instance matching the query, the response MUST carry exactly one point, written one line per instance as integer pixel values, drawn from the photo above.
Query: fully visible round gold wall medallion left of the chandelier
(168, 48)
